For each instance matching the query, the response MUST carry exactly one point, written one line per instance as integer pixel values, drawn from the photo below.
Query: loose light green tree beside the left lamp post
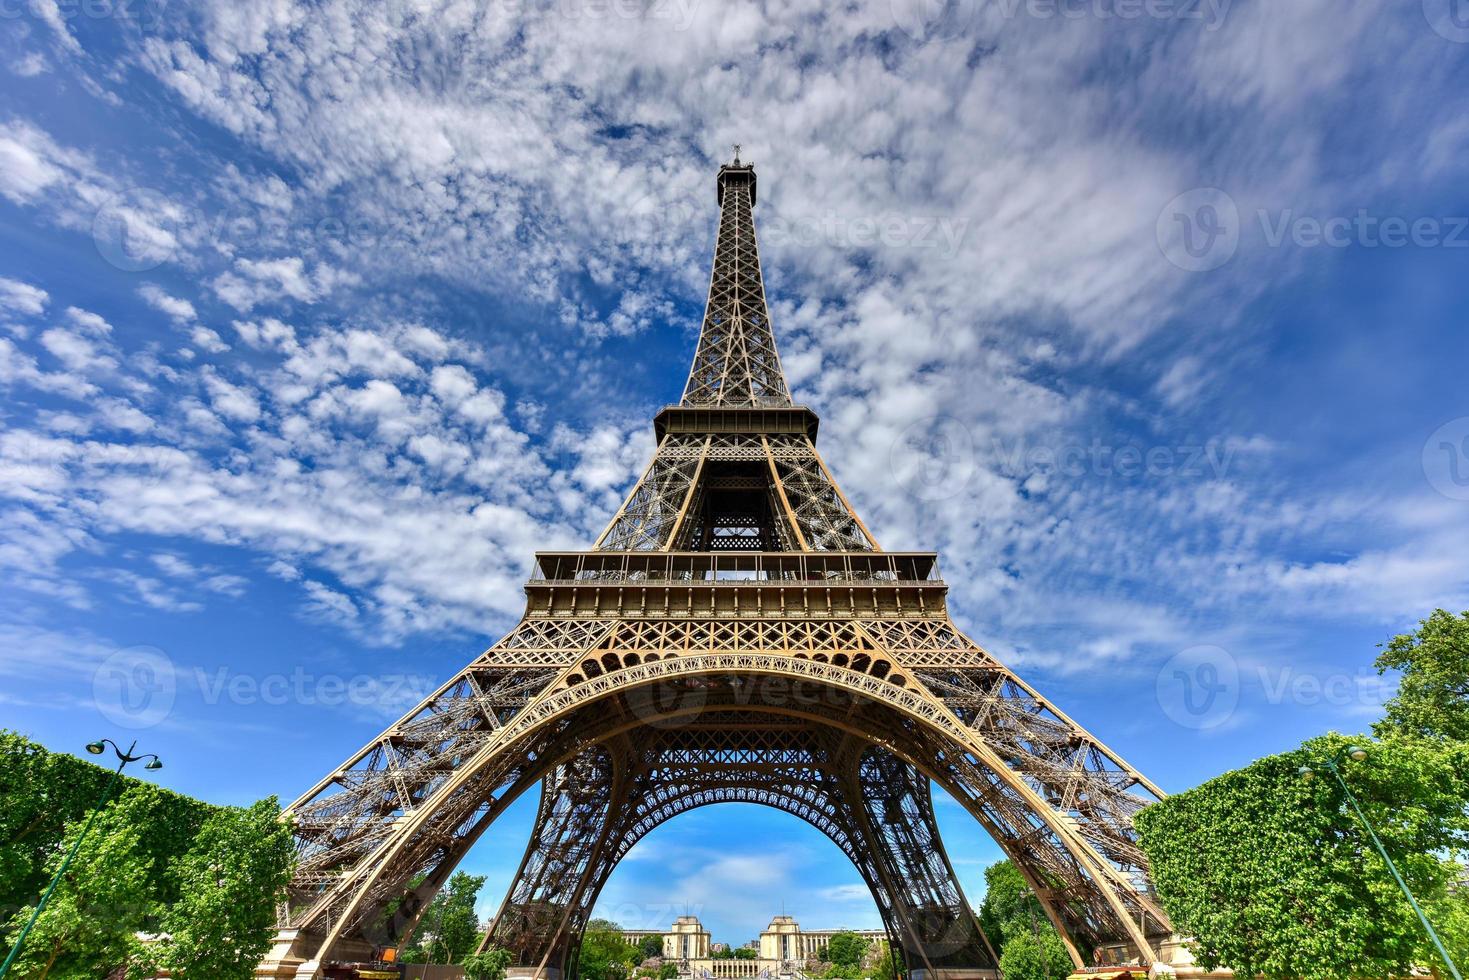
(87, 926)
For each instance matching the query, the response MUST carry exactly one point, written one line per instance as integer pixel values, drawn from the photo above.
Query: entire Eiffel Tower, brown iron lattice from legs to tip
(735, 635)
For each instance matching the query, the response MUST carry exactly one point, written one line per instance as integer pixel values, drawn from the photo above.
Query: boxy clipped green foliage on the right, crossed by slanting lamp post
(1273, 876)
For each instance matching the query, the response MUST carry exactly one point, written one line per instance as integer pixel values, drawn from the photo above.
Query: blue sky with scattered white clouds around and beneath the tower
(317, 321)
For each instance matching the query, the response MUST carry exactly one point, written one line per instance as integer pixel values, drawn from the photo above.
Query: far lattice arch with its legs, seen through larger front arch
(729, 756)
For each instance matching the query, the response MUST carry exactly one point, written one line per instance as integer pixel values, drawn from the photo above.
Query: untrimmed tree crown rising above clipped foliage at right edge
(1433, 694)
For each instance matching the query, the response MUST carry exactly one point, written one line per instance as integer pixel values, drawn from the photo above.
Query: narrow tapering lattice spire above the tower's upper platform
(737, 364)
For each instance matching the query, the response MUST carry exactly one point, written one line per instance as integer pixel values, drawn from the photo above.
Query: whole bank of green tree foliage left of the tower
(205, 878)
